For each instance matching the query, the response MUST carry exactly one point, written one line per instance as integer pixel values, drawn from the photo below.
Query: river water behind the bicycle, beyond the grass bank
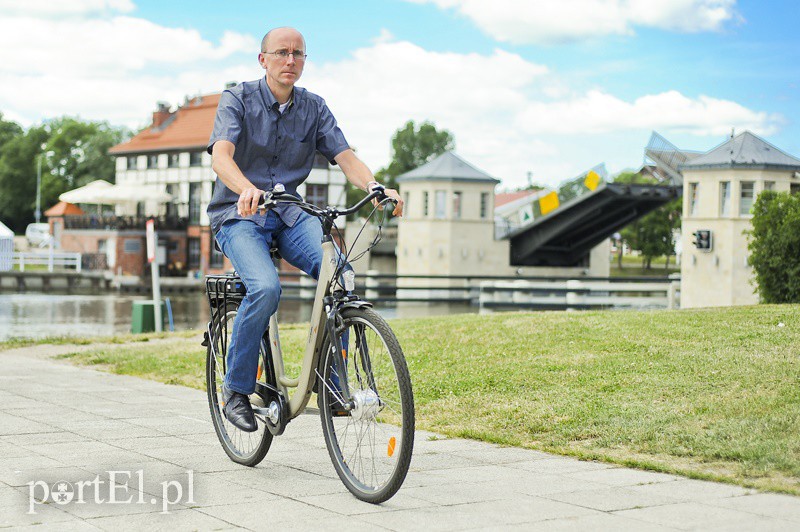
(36, 315)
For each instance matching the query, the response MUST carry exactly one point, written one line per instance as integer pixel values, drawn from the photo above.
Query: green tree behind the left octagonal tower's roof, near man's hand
(411, 147)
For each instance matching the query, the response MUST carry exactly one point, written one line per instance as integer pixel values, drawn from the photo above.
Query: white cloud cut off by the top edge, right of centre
(548, 22)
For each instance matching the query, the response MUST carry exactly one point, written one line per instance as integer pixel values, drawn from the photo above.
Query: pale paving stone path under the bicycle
(62, 425)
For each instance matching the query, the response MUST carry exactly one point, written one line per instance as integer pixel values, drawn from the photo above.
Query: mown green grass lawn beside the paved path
(709, 394)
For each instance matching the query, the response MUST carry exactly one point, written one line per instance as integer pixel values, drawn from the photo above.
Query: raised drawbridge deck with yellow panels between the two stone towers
(560, 227)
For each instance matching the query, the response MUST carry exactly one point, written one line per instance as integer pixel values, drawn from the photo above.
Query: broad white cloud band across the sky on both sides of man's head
(509, 115)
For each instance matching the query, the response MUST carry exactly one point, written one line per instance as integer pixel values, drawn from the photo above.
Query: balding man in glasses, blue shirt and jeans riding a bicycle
(267, 132)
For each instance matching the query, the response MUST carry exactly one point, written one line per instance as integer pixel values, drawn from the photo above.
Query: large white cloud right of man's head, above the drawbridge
(509, 116)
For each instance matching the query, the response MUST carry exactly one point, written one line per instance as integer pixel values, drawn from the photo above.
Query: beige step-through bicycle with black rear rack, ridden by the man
(352, 360)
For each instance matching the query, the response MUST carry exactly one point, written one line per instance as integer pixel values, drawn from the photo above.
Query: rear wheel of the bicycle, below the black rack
(246, 448)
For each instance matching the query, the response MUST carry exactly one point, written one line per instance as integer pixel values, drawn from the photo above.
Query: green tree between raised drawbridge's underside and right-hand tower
(652, 234)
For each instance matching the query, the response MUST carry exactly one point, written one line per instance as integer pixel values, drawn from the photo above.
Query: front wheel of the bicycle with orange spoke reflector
(370, 445)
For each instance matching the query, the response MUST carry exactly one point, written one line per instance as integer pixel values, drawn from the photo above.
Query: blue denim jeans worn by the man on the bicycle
(247, 244)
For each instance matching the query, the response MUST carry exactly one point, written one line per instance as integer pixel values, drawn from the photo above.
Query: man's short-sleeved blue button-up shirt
(271, 147)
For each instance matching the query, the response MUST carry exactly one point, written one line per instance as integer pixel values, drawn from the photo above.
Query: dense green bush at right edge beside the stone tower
(775, 246)
